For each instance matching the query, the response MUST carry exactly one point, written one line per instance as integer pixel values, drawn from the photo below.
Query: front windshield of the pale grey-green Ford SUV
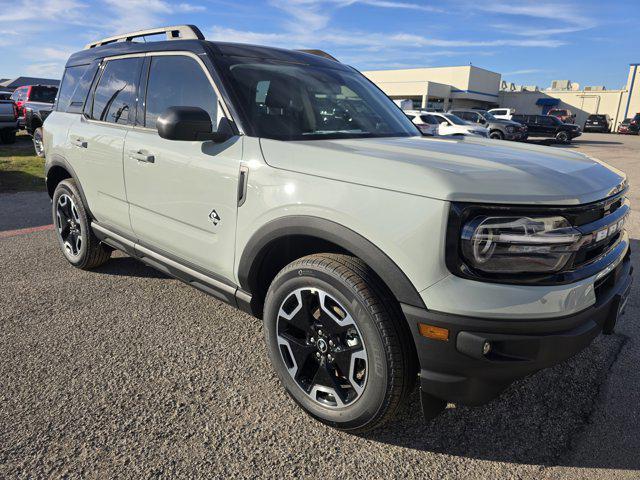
(304, 102)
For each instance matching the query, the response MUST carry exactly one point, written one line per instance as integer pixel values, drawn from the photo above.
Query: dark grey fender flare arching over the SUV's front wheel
(327, 230)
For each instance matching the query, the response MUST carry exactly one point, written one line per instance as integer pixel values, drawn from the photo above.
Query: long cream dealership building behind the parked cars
(468, 86)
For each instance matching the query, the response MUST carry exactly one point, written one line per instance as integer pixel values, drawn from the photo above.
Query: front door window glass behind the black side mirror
(178, 81)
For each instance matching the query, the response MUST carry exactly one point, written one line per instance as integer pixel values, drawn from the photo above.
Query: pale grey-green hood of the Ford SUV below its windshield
(467, 169)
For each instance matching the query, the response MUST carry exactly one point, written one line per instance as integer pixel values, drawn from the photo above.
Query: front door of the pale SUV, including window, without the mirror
(183, 194)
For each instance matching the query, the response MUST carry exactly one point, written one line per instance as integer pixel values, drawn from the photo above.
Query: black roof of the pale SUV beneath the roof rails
(202, 47)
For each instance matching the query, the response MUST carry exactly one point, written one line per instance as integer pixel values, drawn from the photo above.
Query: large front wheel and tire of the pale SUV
(332, 288)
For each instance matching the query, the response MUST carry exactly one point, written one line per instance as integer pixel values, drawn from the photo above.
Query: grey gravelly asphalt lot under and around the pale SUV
(122, 372)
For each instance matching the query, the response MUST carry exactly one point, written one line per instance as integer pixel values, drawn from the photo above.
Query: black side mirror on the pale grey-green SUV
(190, 124)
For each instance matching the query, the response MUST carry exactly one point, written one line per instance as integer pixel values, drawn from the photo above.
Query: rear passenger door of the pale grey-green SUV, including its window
(97, 140)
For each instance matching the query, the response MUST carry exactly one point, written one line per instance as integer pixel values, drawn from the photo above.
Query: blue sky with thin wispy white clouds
(528, 42)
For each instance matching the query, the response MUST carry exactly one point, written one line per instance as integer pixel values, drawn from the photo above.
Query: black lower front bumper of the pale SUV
(457, 370)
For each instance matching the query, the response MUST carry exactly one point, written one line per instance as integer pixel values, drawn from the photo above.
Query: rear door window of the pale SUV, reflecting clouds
(115, 95)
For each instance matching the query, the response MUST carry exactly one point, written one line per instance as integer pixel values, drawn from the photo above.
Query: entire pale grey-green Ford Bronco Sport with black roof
(288, 185)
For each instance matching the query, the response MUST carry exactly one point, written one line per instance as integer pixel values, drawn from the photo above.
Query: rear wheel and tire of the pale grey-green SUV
(72, 226)
